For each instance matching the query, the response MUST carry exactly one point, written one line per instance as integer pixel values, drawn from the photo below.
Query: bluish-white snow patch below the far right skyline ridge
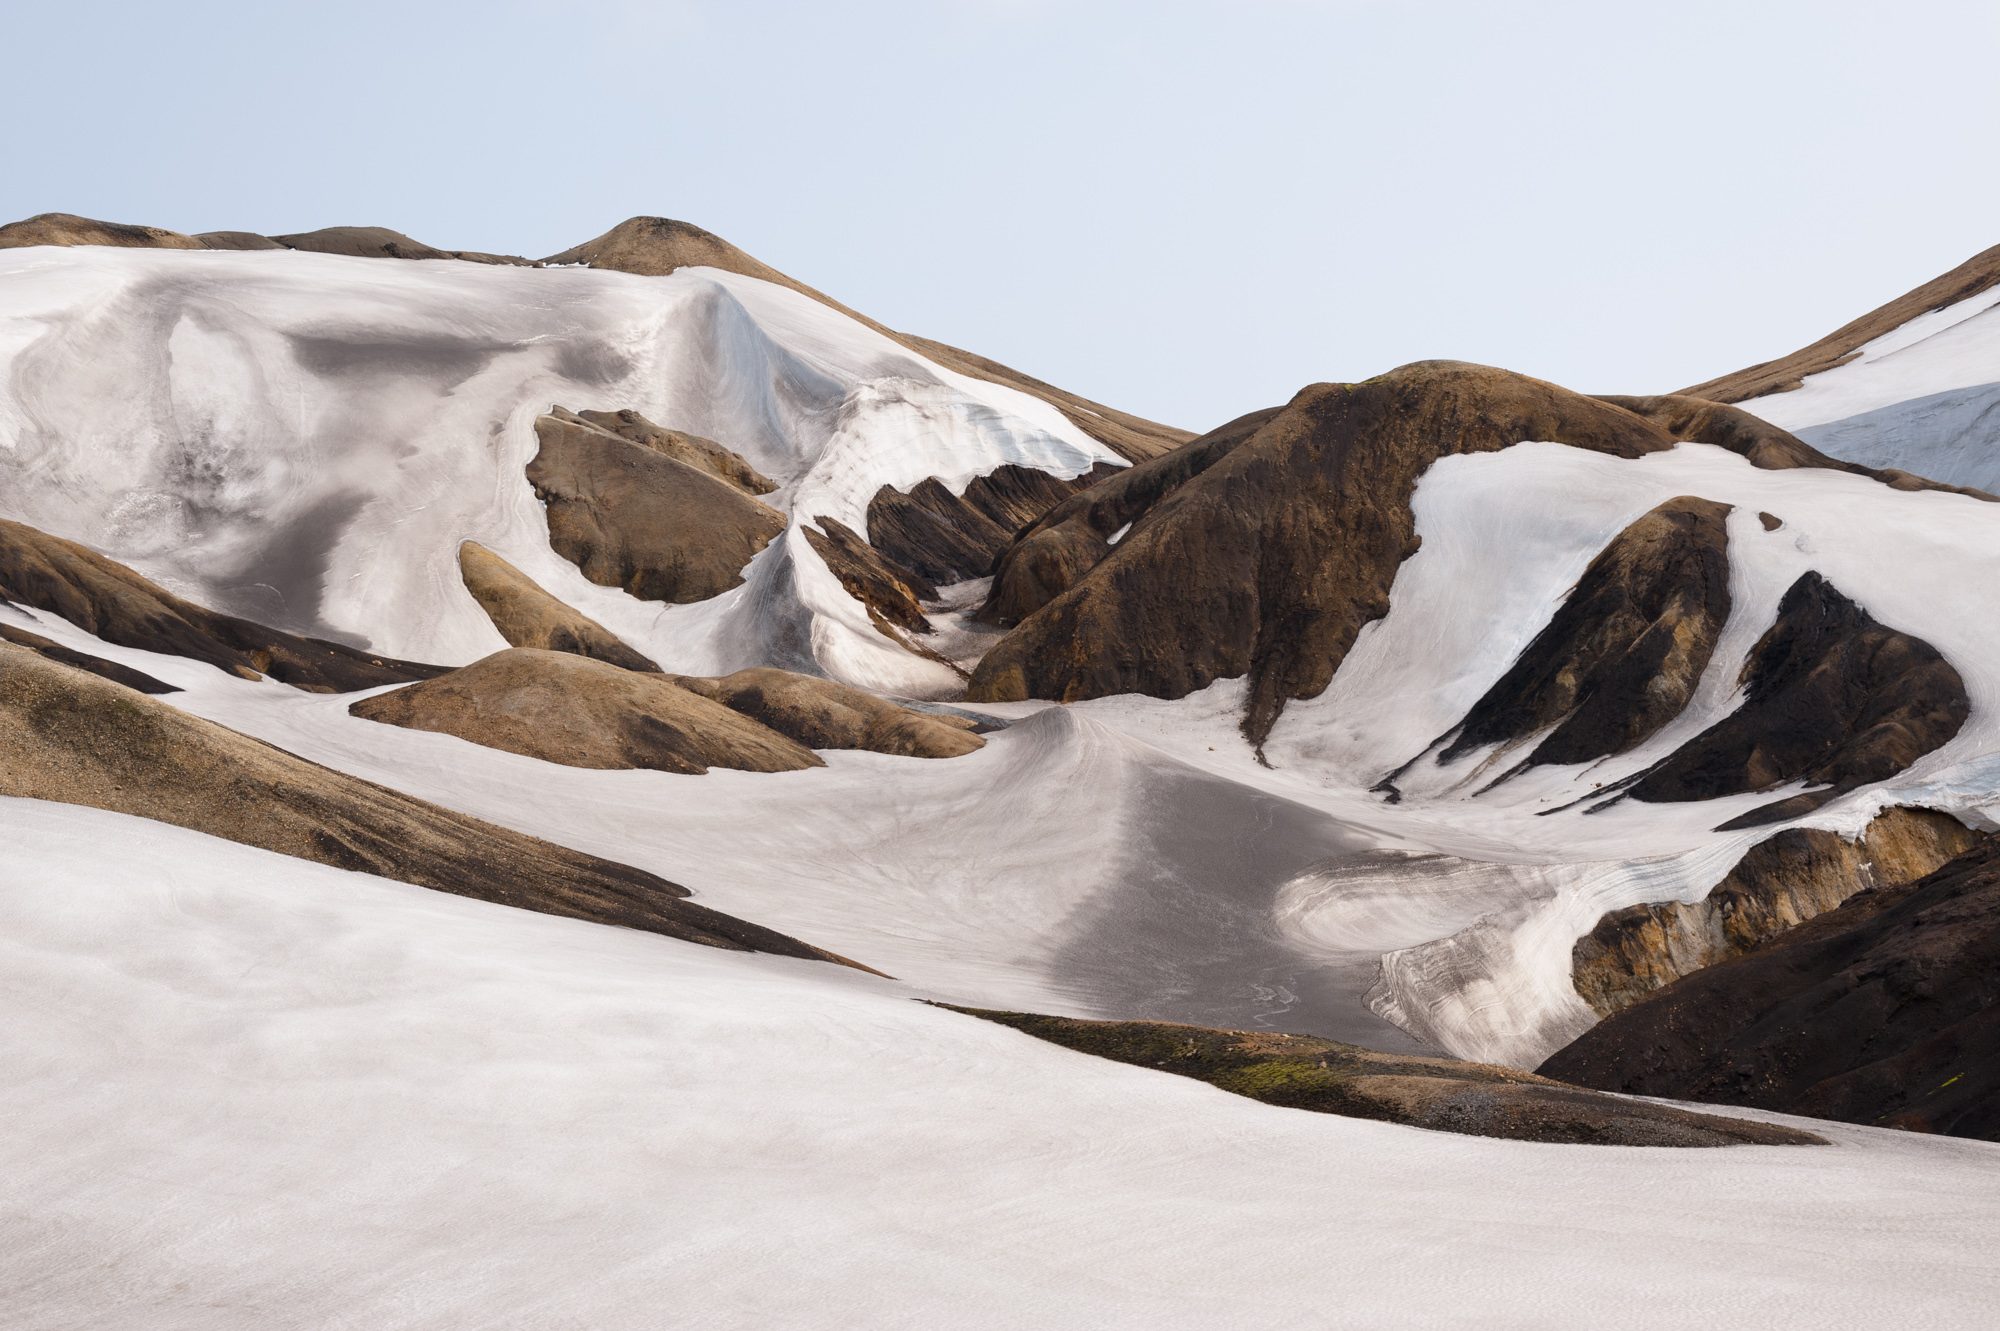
(1923, 399)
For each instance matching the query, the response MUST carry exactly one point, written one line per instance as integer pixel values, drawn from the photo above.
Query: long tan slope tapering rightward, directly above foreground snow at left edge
(75, 738)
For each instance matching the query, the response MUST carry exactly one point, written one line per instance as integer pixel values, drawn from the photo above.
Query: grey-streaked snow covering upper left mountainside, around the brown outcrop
(307, 439)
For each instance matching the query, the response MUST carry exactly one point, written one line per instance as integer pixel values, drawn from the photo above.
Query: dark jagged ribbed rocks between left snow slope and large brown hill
(949, 537)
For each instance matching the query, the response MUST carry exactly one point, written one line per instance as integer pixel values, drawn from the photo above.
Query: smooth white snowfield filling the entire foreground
(253, 1092)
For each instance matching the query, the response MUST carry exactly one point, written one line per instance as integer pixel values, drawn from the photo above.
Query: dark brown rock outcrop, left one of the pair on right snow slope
(1623, 655)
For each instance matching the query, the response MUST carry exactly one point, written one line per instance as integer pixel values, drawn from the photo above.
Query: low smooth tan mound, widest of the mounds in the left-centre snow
(587, 714)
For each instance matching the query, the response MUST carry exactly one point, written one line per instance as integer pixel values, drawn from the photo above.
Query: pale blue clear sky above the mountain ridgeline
(1181, 209)
